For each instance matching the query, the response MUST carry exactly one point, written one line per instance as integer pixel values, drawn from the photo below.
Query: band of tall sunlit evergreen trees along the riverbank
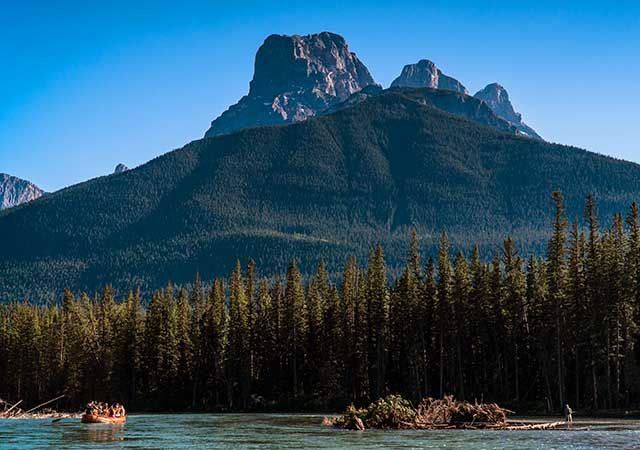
(532, 333)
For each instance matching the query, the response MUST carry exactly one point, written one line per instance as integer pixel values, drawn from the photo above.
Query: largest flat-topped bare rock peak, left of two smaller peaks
(295, 77)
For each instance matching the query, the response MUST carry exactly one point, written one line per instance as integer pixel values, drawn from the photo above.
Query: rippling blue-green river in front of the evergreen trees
(299, 431)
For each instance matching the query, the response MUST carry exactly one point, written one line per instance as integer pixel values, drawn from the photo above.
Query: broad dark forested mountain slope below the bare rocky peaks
(319, 189)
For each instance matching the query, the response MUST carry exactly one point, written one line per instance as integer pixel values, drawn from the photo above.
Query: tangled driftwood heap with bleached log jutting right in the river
(394, 412)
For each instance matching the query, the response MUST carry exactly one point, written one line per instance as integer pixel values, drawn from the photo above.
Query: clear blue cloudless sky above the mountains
(86, 85)
